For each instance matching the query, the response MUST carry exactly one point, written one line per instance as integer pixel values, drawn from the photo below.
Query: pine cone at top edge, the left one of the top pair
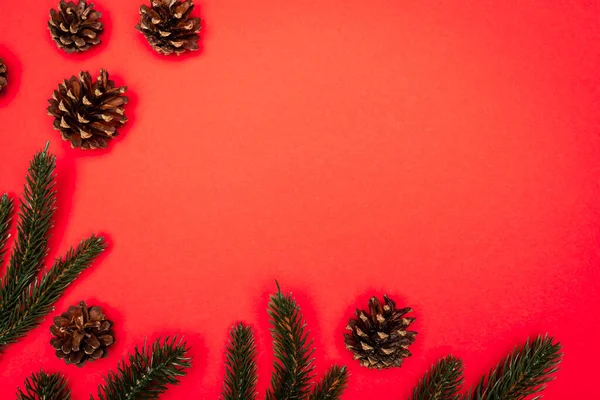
(75, 27)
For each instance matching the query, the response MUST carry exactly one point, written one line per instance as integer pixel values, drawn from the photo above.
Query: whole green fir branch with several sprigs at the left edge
(26, 298)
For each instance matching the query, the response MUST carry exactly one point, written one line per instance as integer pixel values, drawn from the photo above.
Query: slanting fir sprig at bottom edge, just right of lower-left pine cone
(148, 372)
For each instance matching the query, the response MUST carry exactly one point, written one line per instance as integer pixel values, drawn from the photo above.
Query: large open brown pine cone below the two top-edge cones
(88, 113)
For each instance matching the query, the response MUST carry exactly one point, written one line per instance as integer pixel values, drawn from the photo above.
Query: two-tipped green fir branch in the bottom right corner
(523, 373)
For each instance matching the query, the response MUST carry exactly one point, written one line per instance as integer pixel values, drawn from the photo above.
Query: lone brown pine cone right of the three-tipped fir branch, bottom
(380, 339)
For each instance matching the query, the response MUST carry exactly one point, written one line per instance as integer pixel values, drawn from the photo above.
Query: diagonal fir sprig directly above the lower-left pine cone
(38, 298)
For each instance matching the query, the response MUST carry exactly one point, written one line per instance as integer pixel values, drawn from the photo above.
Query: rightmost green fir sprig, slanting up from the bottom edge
(524, 372)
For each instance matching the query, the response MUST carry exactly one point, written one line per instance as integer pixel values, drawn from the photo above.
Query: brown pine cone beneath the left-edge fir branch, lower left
(81, 334)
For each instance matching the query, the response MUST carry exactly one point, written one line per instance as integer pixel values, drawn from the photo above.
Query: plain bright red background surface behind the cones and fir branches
(446, 154)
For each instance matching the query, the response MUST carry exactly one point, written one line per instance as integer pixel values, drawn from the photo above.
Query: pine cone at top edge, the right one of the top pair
(168, 27)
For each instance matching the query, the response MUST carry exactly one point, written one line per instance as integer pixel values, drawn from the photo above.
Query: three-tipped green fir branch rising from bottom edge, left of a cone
(293, 369)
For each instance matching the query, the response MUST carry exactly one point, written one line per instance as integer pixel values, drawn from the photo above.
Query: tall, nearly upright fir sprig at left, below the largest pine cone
(35, 220)
